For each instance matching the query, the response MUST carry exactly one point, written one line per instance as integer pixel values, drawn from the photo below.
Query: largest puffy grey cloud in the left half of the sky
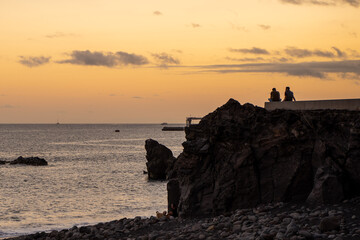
(105, 59)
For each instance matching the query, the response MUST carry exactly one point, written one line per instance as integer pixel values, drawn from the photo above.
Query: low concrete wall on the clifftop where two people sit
(347, 104)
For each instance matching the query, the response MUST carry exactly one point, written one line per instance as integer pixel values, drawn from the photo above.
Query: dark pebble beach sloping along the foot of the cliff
(285, 221)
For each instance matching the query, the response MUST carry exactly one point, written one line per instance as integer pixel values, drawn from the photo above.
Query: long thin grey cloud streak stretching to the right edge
(303, 69)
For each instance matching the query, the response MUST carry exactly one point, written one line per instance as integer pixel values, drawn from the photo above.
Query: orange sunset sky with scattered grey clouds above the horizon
(141, 61)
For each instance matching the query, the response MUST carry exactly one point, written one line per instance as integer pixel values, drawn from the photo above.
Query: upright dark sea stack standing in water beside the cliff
(160, 160)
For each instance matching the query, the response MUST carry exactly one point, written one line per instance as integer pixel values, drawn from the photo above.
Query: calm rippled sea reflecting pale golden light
(94, 175)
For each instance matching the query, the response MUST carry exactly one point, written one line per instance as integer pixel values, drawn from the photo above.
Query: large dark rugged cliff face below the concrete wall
(240, 156)
